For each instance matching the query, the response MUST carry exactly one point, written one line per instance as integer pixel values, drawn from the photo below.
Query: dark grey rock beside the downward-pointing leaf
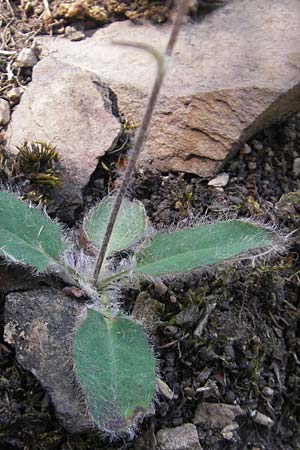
(39, 324)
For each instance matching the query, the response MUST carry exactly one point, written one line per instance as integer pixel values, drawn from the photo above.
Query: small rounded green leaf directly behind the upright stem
(128, 228)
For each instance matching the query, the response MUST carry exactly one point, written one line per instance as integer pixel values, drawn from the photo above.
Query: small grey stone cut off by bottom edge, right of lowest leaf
(184, 437)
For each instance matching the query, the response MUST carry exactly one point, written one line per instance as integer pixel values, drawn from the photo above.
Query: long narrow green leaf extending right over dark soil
(185, 250)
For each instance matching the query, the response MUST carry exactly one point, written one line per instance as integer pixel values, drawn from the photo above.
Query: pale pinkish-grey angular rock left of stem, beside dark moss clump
(70, 108)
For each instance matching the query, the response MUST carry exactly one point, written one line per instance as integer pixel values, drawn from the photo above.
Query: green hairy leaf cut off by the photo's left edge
(28, 236)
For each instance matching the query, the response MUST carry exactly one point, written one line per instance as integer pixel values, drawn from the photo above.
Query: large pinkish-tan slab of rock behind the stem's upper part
(232, 75)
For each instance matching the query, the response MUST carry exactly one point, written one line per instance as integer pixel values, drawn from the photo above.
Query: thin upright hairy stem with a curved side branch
(142, 132)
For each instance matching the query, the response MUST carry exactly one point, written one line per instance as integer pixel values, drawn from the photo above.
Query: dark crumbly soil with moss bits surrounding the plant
(248, 353)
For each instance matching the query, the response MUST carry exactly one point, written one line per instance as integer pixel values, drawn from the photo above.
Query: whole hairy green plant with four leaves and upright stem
(113, 361)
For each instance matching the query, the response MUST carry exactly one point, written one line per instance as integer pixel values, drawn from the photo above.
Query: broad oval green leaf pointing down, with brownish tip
(115, 368)
